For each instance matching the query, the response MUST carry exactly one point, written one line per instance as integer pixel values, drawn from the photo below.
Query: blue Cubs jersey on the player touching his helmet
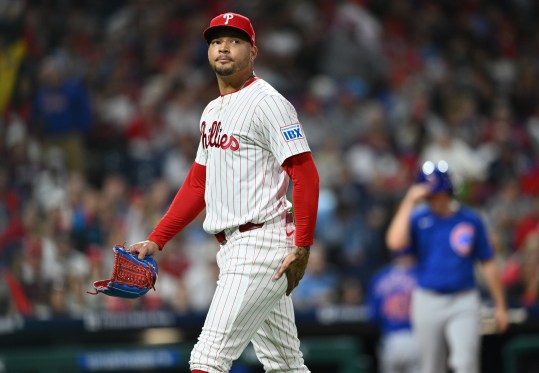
(448, 247)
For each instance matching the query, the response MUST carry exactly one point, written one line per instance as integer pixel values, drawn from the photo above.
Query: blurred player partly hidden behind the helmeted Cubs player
(388, 297)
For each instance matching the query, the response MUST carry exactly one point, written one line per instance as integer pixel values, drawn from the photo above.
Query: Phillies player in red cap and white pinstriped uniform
(251, 146)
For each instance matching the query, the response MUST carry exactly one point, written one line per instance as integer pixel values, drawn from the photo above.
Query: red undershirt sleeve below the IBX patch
(306, 186)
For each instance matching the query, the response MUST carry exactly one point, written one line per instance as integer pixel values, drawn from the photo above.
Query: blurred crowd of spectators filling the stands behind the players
(99, 110)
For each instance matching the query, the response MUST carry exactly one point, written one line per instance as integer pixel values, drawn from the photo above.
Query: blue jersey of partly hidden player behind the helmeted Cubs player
(389, 297)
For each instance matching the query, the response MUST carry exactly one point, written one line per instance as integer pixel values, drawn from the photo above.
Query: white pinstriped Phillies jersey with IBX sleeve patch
(245, 137)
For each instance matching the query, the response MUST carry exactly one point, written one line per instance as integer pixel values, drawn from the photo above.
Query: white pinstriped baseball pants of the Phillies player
(249, 306)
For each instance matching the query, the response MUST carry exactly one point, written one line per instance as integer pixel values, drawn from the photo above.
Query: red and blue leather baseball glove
(131, 277)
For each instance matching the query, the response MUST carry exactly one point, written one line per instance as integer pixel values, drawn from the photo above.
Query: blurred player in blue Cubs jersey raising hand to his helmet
(447, 238)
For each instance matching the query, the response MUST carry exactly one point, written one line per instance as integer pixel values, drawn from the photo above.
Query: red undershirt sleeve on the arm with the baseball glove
(186, 206)
